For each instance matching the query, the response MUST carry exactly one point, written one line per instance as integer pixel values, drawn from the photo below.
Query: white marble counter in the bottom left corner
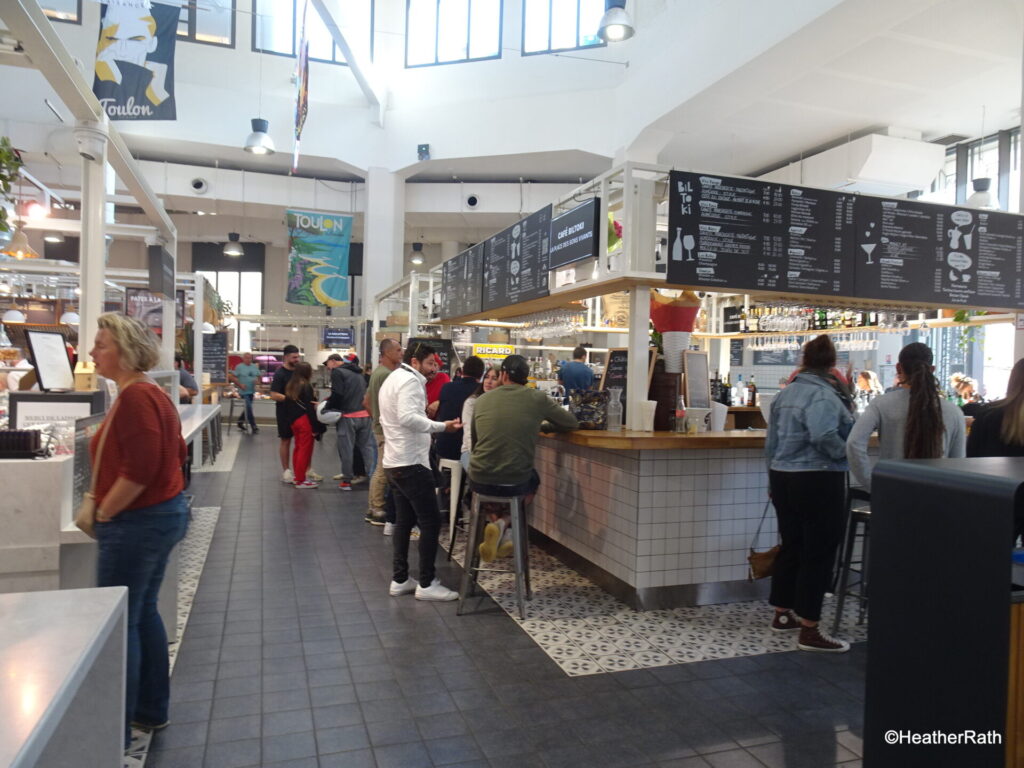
(63, 667)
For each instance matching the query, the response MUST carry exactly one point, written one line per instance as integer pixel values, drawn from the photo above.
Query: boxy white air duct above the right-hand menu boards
(875, 165)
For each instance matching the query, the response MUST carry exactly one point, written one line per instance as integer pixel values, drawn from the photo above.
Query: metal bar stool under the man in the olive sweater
(521, 543)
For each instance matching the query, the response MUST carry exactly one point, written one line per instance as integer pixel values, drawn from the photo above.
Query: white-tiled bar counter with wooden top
(660, 520)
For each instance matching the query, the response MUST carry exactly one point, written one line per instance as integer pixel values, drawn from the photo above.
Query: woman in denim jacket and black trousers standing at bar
(806, 449)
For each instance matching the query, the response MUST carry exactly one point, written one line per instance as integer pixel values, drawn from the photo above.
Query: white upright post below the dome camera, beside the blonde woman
(93, 248)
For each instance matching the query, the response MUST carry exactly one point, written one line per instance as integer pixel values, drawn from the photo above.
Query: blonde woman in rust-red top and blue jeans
(141, 509)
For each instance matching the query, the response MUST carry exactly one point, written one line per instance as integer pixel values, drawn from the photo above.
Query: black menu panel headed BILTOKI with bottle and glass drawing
(745, 235)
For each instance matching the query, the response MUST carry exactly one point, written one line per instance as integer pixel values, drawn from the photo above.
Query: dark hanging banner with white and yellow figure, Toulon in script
(135, 73)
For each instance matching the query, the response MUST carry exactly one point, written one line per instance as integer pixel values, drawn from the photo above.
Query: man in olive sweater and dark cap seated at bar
(507, 423)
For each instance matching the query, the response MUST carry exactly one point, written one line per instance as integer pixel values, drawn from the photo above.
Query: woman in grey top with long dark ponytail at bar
(914, 421)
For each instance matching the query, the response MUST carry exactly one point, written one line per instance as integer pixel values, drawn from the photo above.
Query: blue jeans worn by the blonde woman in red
(134, 552)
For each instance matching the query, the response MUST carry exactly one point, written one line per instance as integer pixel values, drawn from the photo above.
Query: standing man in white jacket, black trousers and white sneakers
(403, 405)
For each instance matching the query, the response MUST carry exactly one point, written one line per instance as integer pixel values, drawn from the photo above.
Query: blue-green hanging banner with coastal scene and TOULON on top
(318, 260)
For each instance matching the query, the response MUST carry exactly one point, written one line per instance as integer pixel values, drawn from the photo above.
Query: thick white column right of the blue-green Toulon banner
(383, 235)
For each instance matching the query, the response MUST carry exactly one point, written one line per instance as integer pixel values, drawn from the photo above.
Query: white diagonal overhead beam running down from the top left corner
(28, 23)
